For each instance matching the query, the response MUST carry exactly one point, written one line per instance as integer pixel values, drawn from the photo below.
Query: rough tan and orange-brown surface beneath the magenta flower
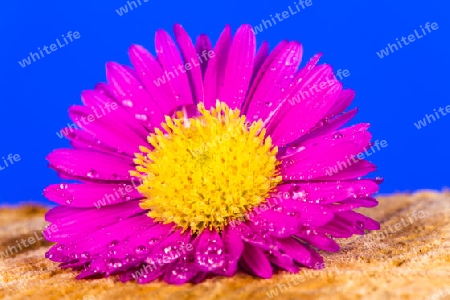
(409, 260)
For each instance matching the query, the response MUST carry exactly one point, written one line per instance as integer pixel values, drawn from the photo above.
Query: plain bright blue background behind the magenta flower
(392, 93)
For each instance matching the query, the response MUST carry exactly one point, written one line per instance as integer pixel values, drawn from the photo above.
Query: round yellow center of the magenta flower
(206, 171)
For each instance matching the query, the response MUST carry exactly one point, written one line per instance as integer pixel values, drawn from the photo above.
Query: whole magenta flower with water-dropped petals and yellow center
(228, 173)
